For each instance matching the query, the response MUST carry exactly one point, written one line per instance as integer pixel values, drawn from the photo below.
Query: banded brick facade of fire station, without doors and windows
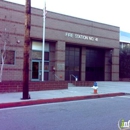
(61, 29)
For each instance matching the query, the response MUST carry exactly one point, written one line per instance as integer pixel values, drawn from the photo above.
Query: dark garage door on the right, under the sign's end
(95, 65)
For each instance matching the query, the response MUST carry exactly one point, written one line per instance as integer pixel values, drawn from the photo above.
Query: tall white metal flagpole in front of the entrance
(43, 43)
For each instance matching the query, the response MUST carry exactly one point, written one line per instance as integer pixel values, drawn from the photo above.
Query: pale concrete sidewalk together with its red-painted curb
(105, 89)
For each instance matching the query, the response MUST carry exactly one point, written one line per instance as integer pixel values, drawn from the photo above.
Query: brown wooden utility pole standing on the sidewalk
(26, 50)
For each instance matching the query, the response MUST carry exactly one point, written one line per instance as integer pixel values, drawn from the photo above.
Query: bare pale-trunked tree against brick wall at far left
(5, 40)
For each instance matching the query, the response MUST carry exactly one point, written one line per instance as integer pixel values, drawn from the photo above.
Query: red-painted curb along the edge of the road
(54, 100)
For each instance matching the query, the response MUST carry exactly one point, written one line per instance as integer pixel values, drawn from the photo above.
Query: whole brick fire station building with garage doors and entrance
(74, 47)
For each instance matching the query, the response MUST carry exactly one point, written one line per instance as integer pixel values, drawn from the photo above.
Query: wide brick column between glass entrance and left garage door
(60, 60)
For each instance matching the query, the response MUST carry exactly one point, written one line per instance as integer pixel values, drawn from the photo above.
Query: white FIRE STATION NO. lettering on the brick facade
(79, 36)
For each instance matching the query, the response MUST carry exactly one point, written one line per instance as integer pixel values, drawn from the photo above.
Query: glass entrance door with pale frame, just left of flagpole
(36, 71)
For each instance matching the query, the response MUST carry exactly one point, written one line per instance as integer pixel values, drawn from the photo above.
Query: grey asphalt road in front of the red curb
(94, 114)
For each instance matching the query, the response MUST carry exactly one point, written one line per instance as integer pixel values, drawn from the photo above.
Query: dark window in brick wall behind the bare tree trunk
(9, 57)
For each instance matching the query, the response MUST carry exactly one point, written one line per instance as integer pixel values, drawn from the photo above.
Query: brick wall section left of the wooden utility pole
(11, 18)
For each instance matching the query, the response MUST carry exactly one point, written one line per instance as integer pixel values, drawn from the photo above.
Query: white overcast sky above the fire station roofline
(113, 12)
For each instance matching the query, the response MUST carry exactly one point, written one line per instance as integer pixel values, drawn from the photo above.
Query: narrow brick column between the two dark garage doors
(83, 61)
